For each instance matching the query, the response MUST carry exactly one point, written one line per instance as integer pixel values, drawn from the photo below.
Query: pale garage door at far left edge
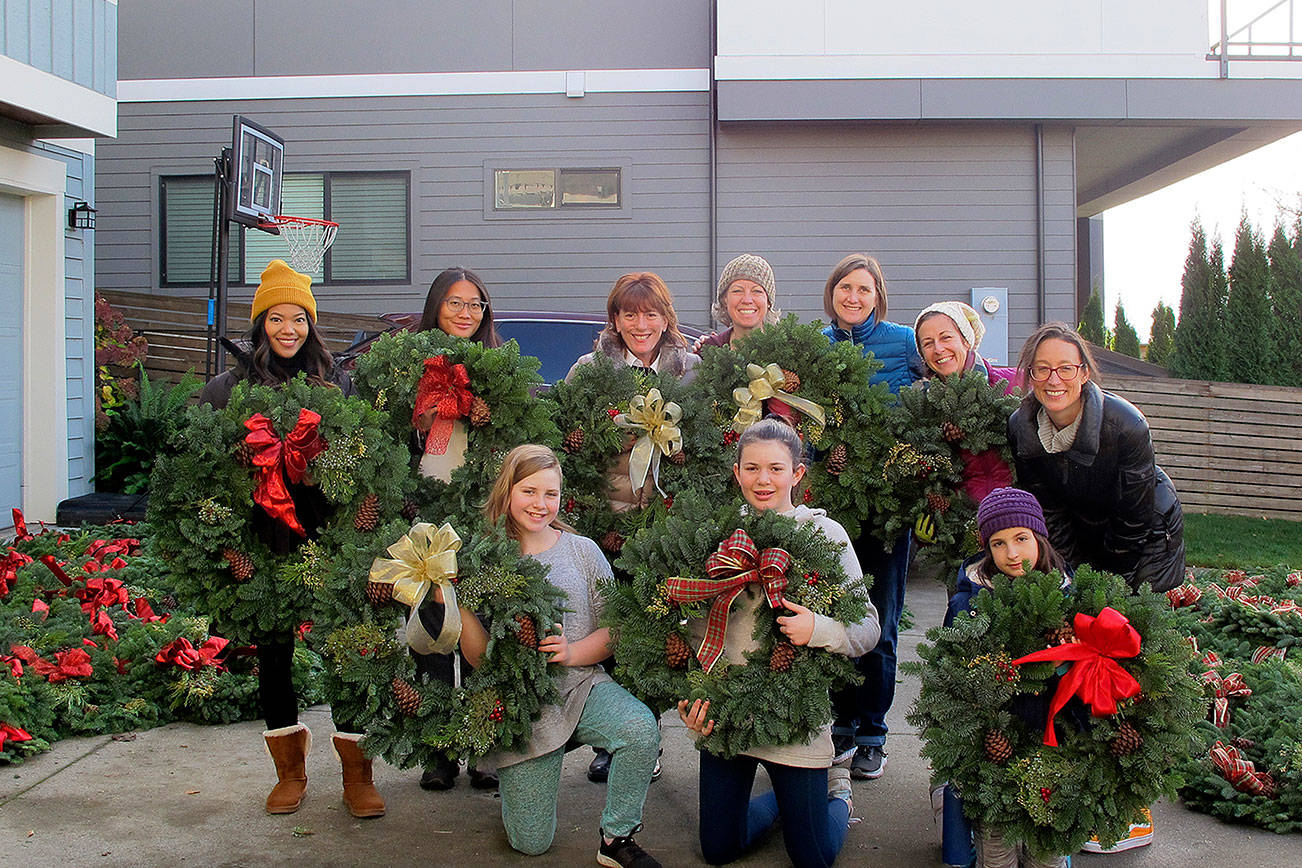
(11, 355)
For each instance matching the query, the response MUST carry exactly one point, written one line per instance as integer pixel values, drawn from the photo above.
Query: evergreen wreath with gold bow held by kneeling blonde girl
(372, 681)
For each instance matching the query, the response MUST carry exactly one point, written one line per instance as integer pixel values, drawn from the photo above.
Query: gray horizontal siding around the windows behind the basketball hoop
(550, 262)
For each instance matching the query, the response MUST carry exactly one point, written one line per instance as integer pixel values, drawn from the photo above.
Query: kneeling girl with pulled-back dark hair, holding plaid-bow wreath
(810, 800)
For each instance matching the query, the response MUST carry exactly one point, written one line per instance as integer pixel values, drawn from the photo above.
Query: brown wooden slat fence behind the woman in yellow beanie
(176, 330)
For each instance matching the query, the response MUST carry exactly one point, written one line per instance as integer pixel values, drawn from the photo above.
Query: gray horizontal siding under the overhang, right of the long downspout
(943, 208)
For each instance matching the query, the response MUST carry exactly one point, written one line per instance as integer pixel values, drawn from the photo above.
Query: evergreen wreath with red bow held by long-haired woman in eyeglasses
(502, 414)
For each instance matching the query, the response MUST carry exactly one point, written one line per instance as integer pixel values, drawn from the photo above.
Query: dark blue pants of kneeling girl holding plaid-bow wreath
(731, 822)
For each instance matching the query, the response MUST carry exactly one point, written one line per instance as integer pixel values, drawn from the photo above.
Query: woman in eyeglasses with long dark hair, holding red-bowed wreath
(458, 305)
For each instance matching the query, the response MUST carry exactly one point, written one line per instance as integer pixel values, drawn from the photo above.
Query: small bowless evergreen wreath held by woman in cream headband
(947, 418)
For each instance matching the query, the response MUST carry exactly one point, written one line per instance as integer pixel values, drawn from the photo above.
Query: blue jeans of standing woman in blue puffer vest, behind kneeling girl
(861, 711)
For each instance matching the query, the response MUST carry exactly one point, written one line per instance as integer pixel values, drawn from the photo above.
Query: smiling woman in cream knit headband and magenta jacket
(949, 335)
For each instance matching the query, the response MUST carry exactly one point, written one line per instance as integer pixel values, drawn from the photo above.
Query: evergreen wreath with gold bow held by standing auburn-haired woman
(587, 409)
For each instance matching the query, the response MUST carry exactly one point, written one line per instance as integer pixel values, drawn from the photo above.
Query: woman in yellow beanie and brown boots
(282, 344)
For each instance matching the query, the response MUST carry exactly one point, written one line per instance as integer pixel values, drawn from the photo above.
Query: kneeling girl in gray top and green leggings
(593, 710)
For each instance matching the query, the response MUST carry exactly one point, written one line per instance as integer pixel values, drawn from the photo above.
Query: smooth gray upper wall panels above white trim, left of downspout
(340, 37)
